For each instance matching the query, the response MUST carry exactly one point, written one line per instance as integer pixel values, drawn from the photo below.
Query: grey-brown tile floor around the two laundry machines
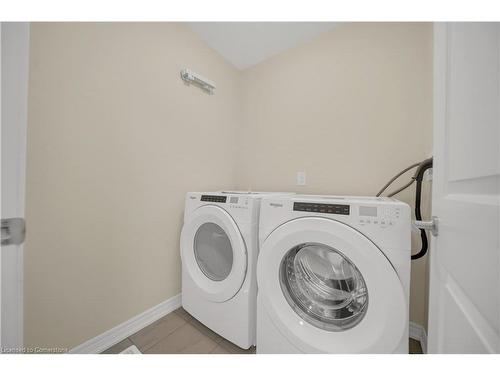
(178, 332)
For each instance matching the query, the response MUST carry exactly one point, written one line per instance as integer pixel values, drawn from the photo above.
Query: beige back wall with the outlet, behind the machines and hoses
(351, 109)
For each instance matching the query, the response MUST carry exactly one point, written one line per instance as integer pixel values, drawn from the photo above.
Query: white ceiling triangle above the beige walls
(245, 44)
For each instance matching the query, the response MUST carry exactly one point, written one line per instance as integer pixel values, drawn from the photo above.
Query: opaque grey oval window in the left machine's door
(213, 251)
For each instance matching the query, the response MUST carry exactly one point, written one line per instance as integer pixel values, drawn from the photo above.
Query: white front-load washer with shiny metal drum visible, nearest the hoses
(333, 275)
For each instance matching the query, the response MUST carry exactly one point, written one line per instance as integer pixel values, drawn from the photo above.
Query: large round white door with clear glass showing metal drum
(329, 289)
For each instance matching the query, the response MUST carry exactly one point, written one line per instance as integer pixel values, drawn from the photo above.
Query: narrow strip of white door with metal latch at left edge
(14, 84)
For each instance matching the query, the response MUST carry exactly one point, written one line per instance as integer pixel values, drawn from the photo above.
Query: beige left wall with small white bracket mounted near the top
(115, 141)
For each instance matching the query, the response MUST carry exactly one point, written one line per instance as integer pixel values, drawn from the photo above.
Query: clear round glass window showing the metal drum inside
(323, 286)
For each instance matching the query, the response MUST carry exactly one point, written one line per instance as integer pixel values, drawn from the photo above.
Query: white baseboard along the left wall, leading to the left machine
(109, 338)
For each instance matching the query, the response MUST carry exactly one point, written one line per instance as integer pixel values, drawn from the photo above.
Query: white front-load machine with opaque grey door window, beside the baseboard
(219, 248)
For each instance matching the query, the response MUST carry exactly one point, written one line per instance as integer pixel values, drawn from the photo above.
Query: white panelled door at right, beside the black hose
(464, 315)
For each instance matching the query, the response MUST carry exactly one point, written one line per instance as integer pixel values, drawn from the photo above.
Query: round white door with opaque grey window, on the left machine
(213, 253)
